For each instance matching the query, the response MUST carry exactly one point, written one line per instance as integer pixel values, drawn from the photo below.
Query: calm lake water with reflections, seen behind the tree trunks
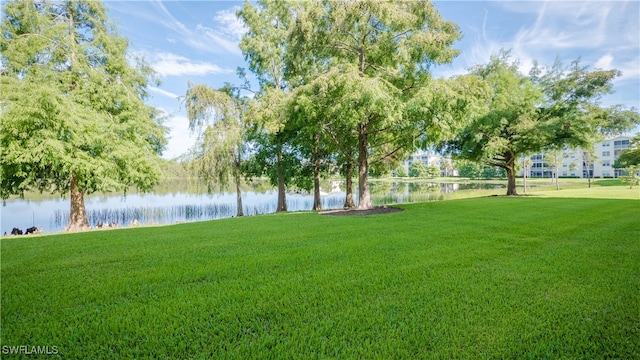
(175, 207)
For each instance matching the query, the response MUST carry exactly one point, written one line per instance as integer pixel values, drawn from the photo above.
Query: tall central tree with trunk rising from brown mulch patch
(383, 51)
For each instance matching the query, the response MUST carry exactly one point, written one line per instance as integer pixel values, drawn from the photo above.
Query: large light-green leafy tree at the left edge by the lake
(73, 113)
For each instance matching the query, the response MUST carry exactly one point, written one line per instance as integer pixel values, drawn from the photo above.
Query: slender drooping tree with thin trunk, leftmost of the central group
(220, 115)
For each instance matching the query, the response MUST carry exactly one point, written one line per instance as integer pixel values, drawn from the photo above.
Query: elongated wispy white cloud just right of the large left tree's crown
(168, 64)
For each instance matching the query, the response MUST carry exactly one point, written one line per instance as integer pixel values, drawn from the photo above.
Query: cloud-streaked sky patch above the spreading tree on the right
(601, 34)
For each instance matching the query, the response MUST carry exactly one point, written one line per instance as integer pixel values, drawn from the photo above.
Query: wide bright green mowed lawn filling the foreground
(505, 278)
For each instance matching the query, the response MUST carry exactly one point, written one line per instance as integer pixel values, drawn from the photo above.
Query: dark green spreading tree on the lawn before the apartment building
(555, 107)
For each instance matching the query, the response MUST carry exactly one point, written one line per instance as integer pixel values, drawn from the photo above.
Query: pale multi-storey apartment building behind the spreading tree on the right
(579, 163)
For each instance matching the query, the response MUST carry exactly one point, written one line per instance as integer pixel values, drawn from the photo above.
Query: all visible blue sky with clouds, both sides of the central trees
(197, 41)
